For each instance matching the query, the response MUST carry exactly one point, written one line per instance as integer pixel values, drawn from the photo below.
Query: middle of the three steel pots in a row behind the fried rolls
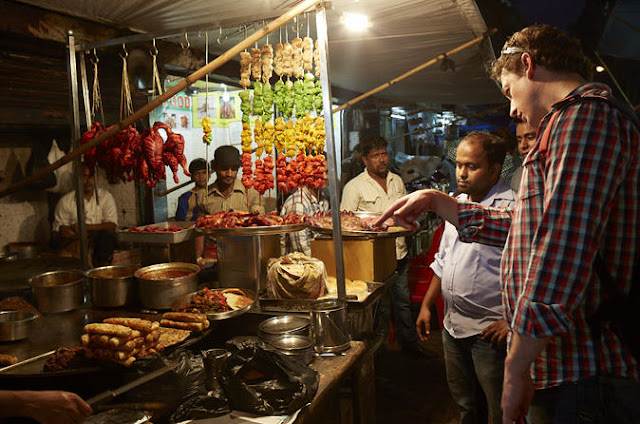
(112, 286)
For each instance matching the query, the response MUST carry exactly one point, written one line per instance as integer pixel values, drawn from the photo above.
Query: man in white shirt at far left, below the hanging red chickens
(101, 219)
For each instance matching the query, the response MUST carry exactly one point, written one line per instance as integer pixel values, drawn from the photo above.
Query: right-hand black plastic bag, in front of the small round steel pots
(267, 383)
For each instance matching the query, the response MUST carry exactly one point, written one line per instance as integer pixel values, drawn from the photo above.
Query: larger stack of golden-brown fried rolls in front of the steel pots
(121, 340)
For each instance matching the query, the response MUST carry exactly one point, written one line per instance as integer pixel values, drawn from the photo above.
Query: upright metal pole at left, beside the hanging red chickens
(75, 136)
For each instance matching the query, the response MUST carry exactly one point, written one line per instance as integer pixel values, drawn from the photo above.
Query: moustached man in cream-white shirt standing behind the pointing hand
(374, 190)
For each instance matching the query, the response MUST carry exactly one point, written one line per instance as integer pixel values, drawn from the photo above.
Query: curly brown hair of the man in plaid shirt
(549, 47)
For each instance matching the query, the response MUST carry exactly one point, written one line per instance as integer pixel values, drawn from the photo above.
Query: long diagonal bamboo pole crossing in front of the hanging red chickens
(187, 81)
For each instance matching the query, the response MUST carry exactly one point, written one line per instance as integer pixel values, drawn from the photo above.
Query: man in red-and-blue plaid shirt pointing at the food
(580, 197)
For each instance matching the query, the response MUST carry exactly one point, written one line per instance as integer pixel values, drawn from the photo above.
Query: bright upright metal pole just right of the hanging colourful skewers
(321, 30)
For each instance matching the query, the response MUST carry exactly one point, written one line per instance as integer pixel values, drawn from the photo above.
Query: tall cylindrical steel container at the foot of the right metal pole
(329, 326)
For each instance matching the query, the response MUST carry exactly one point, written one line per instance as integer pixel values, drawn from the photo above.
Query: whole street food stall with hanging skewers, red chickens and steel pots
(134, 339)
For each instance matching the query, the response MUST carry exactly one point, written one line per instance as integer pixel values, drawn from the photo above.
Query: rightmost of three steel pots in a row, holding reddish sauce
(161, 284)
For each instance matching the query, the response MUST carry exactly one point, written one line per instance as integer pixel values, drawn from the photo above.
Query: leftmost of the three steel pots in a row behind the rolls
(58, 291)
